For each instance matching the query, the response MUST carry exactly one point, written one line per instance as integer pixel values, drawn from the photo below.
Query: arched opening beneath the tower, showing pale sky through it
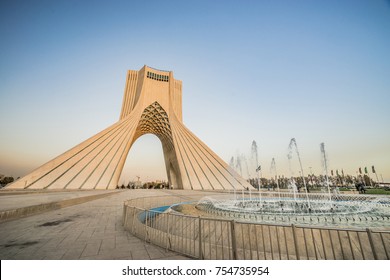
(144, 162)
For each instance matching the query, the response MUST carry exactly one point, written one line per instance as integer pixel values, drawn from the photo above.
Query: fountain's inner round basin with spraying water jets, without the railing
(292, 206)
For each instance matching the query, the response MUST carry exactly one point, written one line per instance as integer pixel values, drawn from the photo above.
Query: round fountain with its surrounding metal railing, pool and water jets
(281, 224)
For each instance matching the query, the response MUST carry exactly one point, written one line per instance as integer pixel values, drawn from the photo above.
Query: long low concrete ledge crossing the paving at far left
(17, 213)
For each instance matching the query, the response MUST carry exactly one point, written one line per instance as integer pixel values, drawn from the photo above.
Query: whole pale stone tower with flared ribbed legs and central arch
(152, 103)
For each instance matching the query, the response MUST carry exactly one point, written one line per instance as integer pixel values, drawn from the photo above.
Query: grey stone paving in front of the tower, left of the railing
(91, 230)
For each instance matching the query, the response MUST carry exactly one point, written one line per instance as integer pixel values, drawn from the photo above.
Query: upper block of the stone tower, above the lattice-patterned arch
(149, 85)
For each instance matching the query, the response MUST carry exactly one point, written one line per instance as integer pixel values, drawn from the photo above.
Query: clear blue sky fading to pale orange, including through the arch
(268, 71)
